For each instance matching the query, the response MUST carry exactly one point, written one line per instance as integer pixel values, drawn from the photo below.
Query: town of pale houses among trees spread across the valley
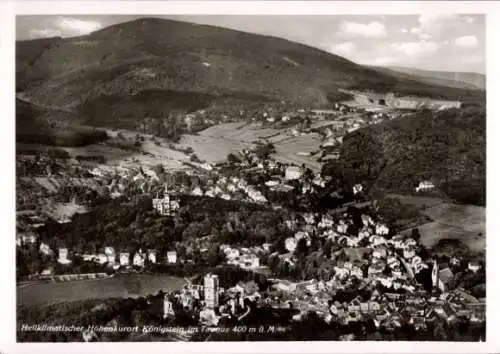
(344, 264)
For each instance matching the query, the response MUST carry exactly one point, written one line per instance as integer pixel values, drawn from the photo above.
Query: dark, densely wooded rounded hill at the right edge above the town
(446, 147)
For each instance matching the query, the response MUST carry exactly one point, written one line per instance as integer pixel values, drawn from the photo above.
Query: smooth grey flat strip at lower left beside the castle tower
(119, 286)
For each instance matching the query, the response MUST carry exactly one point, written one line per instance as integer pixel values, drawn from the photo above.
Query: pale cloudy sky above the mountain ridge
(444, 42)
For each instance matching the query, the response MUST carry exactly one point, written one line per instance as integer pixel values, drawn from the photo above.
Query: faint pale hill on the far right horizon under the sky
(461, 80)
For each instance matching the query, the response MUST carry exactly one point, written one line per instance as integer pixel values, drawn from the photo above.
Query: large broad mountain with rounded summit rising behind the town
(189, 66)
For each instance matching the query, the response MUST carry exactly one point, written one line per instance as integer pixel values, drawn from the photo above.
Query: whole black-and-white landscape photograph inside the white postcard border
(250, 177)
